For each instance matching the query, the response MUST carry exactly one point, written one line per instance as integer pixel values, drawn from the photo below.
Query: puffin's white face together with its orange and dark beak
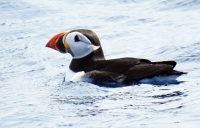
(73, 42)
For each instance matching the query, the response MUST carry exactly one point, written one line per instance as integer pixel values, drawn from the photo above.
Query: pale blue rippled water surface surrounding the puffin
(32, 91)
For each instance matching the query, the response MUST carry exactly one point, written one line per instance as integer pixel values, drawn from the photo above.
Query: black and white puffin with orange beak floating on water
(89, 64)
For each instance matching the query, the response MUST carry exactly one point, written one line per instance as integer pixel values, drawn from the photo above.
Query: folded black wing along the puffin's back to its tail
(134, 69)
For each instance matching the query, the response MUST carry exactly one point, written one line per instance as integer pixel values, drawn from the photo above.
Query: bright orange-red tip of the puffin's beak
(53, 40)
